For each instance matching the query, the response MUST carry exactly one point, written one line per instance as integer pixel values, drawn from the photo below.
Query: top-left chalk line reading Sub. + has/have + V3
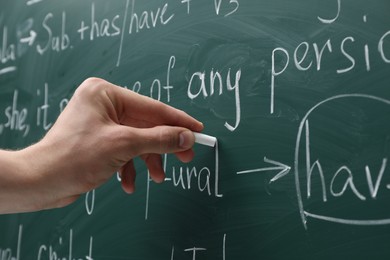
(134, 21)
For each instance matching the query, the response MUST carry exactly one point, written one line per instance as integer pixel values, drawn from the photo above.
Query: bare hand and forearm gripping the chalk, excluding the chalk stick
(99, 133)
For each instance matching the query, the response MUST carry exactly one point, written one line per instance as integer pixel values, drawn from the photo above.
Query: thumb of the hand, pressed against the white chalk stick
(161, 139)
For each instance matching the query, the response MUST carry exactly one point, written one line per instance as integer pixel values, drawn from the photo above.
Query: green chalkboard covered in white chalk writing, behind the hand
(296, 91)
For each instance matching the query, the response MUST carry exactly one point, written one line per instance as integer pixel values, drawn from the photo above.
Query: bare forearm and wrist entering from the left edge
(33, 179)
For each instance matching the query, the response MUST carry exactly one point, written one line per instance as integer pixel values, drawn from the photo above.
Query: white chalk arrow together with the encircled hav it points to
(343, 174)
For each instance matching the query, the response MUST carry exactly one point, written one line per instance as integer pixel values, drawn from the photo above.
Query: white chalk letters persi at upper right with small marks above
(308, 55)
